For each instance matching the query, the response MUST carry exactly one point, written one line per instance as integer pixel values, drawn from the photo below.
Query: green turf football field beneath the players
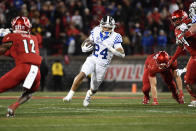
(107, 112)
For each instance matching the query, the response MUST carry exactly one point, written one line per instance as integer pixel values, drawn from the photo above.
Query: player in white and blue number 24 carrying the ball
(105, 43)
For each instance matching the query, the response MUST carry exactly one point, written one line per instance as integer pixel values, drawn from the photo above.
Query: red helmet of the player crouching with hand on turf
(162, 59)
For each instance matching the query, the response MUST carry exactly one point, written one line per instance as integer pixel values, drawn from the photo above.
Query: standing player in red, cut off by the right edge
(185, 38)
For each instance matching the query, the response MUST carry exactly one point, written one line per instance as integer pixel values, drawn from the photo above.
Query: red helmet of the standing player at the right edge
(178, 17)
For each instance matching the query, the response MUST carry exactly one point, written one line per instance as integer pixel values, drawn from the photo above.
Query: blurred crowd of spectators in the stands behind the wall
(62, 25)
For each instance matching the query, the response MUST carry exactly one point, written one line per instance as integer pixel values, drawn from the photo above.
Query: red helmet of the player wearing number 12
(21, 24)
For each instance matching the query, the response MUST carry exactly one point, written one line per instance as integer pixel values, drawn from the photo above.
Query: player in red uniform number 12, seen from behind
(23, 48)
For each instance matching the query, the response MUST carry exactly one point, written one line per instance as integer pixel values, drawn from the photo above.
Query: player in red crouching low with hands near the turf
(158, 63)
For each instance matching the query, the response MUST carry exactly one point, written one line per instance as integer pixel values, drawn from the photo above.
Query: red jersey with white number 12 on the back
(24, 49)
